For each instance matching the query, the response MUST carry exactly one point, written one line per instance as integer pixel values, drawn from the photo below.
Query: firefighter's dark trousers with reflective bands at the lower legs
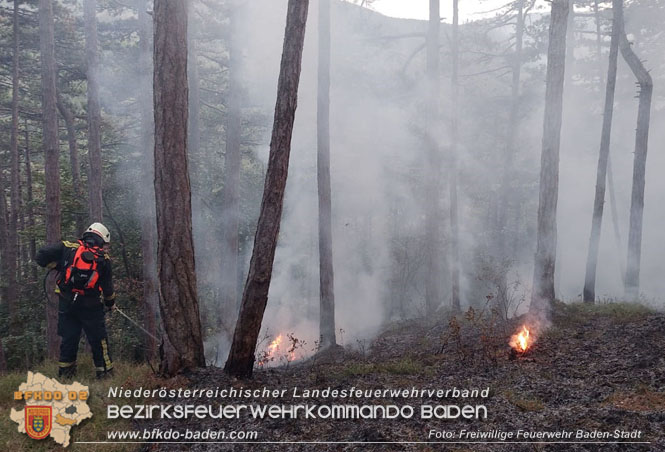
(89, 317)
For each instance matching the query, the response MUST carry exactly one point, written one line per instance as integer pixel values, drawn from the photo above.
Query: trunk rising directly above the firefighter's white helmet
(94, 114)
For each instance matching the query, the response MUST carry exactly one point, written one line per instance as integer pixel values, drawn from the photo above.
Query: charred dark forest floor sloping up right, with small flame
(591, 368)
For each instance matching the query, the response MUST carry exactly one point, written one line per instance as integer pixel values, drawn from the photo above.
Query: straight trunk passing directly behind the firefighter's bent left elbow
(51, 166)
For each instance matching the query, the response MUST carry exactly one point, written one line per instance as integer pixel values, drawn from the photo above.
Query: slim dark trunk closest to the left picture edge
(15, 190)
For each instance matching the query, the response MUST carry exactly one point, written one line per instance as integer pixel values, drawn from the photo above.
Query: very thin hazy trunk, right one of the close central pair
(454, 222)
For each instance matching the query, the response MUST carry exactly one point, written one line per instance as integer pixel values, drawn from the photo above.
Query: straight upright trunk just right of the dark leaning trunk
(326, 275)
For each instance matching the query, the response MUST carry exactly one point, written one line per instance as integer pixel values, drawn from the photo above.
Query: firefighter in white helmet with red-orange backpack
(84, 276)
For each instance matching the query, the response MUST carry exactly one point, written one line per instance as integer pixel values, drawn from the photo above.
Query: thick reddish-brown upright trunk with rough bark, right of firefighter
(182, 347)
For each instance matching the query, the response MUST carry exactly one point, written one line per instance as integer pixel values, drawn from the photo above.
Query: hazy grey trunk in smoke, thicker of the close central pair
(433, 170)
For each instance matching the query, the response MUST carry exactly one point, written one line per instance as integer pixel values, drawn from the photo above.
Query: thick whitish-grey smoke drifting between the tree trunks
(378, 160)
